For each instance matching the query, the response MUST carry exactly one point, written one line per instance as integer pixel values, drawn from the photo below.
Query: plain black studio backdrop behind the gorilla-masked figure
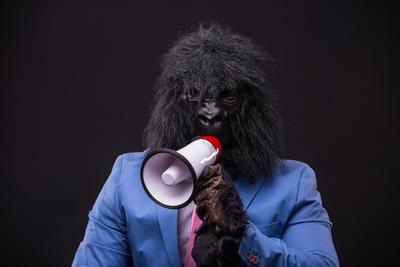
(76, 83)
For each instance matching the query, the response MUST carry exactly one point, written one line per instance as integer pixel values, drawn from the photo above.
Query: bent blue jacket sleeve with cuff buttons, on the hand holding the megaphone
(306, 240)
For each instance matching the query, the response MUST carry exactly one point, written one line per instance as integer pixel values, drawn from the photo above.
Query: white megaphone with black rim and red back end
(170, 177)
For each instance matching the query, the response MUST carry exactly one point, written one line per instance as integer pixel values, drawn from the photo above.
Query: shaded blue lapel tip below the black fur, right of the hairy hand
(248, 188)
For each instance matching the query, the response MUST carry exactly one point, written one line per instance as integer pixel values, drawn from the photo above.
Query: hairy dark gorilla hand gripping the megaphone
(220, 207)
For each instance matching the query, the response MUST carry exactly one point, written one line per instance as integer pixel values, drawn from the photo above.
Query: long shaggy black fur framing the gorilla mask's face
(212, 59)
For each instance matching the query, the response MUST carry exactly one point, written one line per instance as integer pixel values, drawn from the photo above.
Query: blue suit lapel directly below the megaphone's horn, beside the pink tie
(168, 221)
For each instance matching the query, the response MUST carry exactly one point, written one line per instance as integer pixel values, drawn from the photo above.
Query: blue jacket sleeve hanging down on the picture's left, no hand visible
(105, 242)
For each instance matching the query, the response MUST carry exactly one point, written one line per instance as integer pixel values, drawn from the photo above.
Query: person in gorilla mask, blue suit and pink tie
(257, 209)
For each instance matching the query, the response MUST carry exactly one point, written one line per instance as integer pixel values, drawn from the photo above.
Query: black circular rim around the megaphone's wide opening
(187, 163)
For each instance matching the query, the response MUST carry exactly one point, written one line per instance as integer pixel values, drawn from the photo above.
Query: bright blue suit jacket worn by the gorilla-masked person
(288, 225)
